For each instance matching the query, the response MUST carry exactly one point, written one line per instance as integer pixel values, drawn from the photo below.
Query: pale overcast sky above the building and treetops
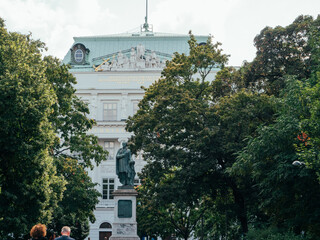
(234, 23)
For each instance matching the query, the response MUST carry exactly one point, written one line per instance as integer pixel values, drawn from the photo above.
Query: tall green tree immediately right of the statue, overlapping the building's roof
(171, 119)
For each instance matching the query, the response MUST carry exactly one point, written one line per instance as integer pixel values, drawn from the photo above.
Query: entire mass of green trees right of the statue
(233, 140)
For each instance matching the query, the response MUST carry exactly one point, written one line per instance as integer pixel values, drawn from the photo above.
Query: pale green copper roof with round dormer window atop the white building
(97, 49)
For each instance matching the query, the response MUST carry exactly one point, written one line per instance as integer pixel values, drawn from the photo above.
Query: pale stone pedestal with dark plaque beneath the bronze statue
(125, 225)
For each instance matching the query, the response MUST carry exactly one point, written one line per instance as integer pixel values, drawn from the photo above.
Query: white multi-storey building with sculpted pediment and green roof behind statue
(110, 71)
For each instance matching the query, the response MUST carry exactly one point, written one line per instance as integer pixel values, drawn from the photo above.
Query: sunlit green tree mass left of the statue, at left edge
(43, 142)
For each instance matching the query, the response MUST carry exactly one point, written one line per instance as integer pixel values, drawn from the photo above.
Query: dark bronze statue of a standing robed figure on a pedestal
(125, 166)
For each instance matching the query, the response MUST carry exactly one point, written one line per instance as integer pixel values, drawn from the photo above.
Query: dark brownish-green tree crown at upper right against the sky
(281, 51)
